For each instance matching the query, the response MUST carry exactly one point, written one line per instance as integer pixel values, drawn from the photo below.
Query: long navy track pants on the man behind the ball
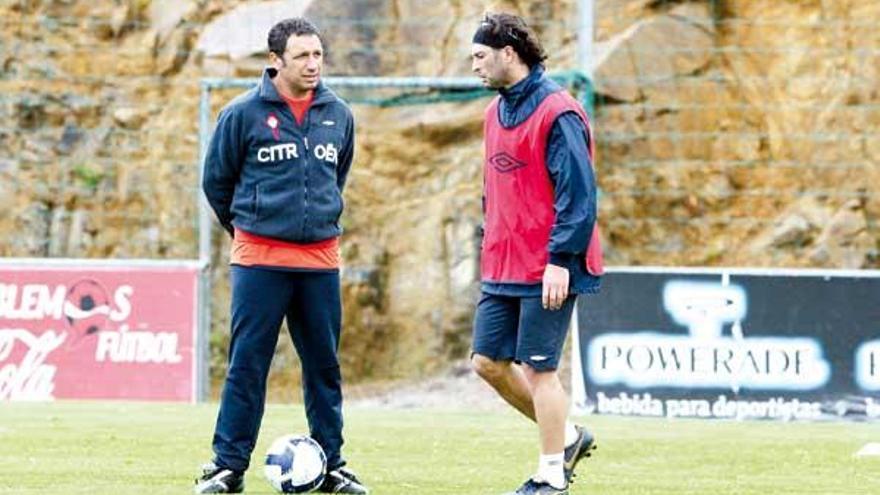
(261, 299)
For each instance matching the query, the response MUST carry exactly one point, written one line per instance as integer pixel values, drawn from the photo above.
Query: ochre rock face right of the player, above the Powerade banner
(746, 138)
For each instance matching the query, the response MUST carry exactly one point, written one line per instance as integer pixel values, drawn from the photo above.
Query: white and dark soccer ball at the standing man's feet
(295, 464)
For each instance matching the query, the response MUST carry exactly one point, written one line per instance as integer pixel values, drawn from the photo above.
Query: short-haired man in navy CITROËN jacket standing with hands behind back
(274, 175)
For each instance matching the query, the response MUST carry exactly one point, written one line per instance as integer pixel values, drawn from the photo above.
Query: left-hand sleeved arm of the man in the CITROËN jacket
(222, 167)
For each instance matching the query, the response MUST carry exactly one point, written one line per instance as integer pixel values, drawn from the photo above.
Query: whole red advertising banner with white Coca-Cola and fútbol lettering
(98, 332)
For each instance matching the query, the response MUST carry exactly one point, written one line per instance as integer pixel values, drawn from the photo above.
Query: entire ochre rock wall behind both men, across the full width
(729, 132)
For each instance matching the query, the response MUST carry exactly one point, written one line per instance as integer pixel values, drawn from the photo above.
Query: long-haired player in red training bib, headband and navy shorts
(541, 242)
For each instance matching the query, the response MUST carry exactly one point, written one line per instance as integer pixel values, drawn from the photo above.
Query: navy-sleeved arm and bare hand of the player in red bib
(568, 162)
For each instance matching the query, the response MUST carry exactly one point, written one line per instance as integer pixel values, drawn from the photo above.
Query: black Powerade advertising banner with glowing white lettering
(736, 344)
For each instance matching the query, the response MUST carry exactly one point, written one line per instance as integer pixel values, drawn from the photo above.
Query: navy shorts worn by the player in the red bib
(519, 329)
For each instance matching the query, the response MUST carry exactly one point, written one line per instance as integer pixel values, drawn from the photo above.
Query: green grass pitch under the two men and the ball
(117, 448)
